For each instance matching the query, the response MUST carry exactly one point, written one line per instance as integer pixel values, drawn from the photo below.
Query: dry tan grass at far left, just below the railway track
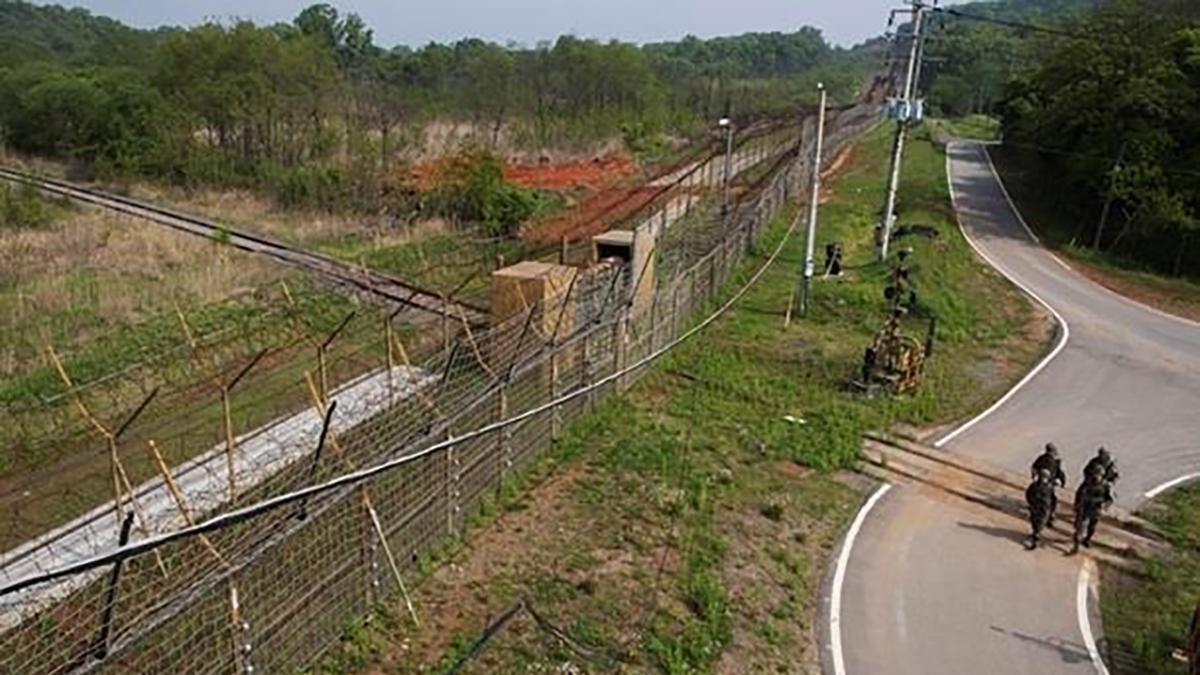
(95, 271)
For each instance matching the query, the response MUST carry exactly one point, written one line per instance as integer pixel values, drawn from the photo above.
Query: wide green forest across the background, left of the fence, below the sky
(316, 114)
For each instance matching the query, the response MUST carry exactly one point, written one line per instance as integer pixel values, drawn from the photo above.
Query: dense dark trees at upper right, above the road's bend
(1115, 116)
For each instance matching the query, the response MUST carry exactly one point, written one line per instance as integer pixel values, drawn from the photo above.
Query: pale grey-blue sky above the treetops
(526, 22)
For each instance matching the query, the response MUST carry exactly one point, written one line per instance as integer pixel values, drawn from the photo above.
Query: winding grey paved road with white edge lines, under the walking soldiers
(935, 588)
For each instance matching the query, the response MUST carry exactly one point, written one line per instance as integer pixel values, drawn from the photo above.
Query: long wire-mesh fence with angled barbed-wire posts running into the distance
(259, 553)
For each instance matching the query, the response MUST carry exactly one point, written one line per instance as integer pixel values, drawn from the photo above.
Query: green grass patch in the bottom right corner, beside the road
(1147, 619)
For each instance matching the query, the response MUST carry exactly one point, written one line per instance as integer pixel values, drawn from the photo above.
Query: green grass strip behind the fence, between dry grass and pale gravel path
(56, 449)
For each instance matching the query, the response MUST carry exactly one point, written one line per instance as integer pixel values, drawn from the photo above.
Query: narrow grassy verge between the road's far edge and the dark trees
(1059, 228)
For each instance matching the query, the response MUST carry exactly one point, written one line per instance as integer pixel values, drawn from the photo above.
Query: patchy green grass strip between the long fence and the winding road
(685, 528)
